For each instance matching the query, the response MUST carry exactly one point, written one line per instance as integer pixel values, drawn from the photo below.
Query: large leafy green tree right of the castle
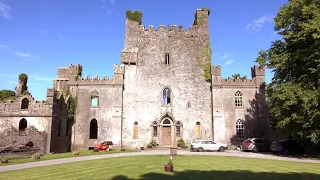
(294, 93)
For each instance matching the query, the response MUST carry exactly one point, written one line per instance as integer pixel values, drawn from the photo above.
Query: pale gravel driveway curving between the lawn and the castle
(153, 152)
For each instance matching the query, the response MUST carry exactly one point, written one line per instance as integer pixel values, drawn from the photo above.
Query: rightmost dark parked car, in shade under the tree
(287, 146)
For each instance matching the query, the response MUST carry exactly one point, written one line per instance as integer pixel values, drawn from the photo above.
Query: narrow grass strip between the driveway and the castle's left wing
(61, 155)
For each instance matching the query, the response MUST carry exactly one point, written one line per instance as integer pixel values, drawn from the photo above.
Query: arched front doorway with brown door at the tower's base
(167, 131)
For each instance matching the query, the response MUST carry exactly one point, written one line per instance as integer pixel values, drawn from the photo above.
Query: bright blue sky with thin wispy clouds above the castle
(38, 36)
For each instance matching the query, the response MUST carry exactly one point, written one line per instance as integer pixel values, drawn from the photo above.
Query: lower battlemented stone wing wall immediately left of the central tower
(107, 113)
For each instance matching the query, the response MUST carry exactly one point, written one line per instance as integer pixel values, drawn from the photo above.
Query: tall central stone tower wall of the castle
(146, 75)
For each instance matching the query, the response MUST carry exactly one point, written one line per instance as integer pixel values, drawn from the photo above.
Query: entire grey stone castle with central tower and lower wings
(165, 89)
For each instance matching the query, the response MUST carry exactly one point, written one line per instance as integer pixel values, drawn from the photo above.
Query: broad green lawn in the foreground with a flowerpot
(185, 167)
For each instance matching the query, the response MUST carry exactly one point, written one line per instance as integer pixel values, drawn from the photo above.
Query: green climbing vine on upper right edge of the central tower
(204, 61)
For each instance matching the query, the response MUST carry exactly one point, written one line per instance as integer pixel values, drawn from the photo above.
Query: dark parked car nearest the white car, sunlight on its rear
(256, 144)
